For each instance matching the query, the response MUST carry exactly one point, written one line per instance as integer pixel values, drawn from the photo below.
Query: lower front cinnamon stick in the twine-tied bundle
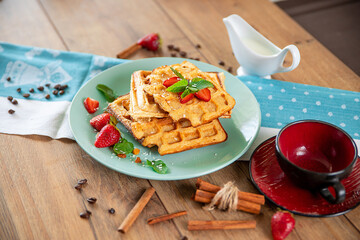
(206, 197)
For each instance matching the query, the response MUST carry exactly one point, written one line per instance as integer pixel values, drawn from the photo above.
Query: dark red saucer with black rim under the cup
(270, 180)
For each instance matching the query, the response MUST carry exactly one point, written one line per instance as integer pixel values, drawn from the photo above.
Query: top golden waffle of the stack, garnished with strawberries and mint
(196, 111)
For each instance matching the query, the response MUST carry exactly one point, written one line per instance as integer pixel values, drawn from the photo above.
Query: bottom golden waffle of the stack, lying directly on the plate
(169, 136)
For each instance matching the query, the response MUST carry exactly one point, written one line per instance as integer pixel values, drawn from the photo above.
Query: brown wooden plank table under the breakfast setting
(38, 174)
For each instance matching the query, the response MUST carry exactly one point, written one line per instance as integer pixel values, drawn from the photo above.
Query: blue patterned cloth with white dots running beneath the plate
(280, 102)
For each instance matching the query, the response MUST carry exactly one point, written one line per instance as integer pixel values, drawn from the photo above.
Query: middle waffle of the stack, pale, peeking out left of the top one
(142, 104)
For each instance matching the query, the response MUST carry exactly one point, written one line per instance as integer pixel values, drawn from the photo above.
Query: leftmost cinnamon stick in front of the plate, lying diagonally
(137, 209)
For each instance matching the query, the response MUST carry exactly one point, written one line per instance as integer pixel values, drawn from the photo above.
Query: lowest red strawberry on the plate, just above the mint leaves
(108, 136)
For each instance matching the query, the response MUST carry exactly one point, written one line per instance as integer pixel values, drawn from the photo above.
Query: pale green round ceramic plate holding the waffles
(242, 127)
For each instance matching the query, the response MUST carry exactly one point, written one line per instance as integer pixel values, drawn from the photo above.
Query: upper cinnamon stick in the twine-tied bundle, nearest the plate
(250, 197)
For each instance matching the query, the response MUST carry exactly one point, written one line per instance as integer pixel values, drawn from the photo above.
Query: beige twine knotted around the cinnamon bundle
(227, 198)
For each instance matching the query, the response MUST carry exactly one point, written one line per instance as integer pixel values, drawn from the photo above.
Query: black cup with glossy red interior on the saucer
(316, 155)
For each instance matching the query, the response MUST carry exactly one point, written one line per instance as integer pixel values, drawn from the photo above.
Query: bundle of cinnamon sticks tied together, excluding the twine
(247, 202)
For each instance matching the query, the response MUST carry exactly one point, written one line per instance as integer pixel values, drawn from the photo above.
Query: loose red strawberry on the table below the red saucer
(282, 223)
